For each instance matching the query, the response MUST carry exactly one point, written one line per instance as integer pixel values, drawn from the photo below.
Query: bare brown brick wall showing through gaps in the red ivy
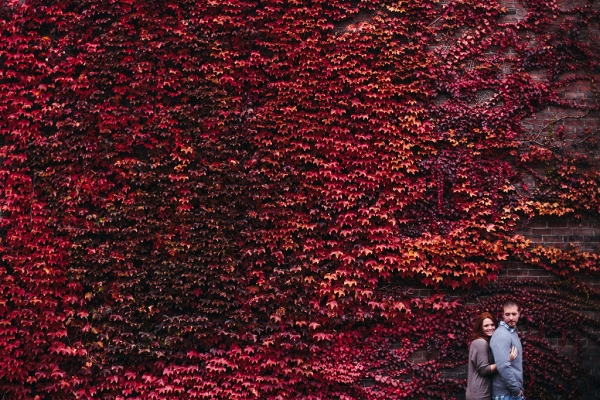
(560, 232)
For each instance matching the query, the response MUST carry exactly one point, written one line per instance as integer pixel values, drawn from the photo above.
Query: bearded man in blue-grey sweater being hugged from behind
(508, 382)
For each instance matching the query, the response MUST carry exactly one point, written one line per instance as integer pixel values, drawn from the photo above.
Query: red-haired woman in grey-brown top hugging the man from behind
(481, 359)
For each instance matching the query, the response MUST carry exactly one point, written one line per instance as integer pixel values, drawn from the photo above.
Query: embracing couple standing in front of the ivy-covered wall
(495, 357)
